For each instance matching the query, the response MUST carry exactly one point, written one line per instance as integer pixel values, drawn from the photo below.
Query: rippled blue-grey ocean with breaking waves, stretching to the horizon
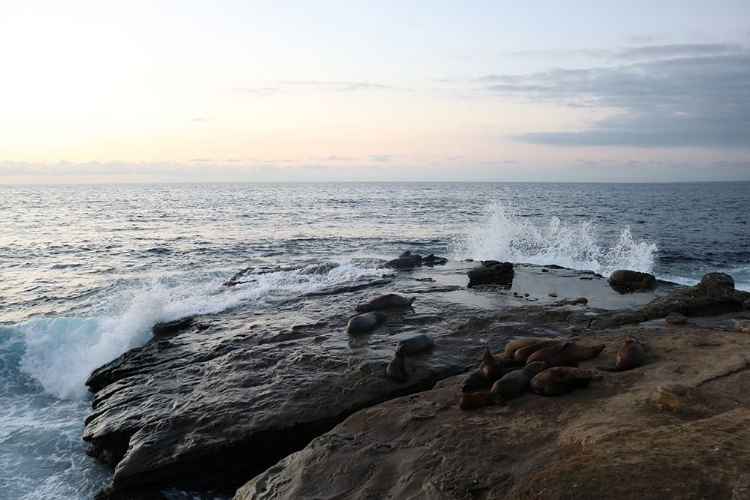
(87, 270)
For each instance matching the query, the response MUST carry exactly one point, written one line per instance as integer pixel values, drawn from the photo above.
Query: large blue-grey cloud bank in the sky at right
(689, 101)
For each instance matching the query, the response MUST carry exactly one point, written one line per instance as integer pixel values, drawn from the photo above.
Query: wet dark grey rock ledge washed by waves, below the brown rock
(214, 405)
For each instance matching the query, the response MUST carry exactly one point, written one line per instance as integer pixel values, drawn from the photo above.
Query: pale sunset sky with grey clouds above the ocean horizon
(188, 91)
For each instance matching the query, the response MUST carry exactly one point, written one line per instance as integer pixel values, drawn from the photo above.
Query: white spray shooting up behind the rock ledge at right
(505, 236)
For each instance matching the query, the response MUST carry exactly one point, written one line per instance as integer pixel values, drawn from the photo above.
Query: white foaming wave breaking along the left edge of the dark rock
(60, 353)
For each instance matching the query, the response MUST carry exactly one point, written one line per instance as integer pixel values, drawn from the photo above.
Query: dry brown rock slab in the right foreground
(677, 427)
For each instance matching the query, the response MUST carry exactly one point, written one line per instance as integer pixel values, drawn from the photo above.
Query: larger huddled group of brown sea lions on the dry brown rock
(547, 367)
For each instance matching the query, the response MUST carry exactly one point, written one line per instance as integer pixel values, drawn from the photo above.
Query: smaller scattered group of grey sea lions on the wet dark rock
(370, 317)
